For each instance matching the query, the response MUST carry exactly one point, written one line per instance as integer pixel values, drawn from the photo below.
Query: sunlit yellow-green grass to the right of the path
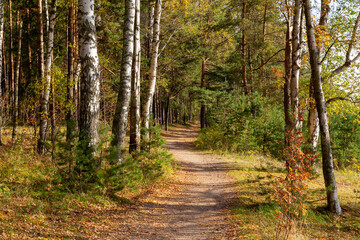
(256, 211)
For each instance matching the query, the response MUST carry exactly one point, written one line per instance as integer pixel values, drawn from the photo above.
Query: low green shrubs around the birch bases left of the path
(100, 172)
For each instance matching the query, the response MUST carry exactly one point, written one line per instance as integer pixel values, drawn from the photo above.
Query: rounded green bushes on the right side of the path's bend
(239, 123)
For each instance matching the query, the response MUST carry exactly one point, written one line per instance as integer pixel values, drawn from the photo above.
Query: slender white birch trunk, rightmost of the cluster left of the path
(153, 69)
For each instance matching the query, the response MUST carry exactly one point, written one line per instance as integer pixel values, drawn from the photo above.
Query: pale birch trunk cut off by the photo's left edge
(1, 64)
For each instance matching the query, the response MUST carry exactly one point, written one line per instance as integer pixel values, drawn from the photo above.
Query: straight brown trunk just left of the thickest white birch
(70, 115)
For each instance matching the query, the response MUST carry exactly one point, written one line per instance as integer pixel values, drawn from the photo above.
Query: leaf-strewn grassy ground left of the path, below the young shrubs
(33, 204)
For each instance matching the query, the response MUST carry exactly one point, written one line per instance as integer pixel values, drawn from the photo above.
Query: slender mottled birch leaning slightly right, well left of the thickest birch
(44, 108)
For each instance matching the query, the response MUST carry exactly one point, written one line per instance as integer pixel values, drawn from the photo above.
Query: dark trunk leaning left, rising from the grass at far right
(328, 165)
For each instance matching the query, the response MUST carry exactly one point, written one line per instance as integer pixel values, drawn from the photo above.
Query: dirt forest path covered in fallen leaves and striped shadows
(195, 204)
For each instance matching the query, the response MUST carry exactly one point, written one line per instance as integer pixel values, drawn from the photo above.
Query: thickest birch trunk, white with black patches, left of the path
(89, 77)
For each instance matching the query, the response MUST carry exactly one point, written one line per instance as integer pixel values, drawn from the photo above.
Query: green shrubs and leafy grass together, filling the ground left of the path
(35, 189)
